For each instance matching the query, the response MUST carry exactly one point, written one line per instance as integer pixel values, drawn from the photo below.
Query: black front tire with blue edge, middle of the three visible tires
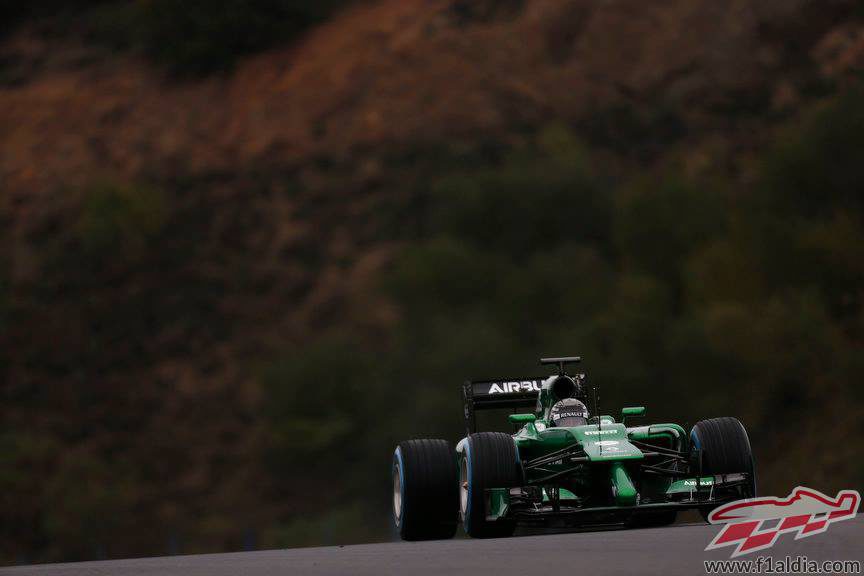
(490, 460)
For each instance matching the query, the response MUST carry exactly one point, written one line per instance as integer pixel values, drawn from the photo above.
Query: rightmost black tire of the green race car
(724, 448)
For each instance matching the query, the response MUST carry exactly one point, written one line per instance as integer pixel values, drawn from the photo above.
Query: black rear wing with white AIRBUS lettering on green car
(498, 393)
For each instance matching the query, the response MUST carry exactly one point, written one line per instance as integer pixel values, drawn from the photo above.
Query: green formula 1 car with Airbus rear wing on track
(565, 467)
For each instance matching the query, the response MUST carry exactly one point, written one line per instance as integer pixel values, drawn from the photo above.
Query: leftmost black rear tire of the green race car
(425, 490)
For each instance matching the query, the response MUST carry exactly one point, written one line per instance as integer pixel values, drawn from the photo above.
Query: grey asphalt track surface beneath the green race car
(673, 550)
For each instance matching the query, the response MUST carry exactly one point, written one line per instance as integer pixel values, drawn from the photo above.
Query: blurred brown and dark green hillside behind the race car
(248, 246)
